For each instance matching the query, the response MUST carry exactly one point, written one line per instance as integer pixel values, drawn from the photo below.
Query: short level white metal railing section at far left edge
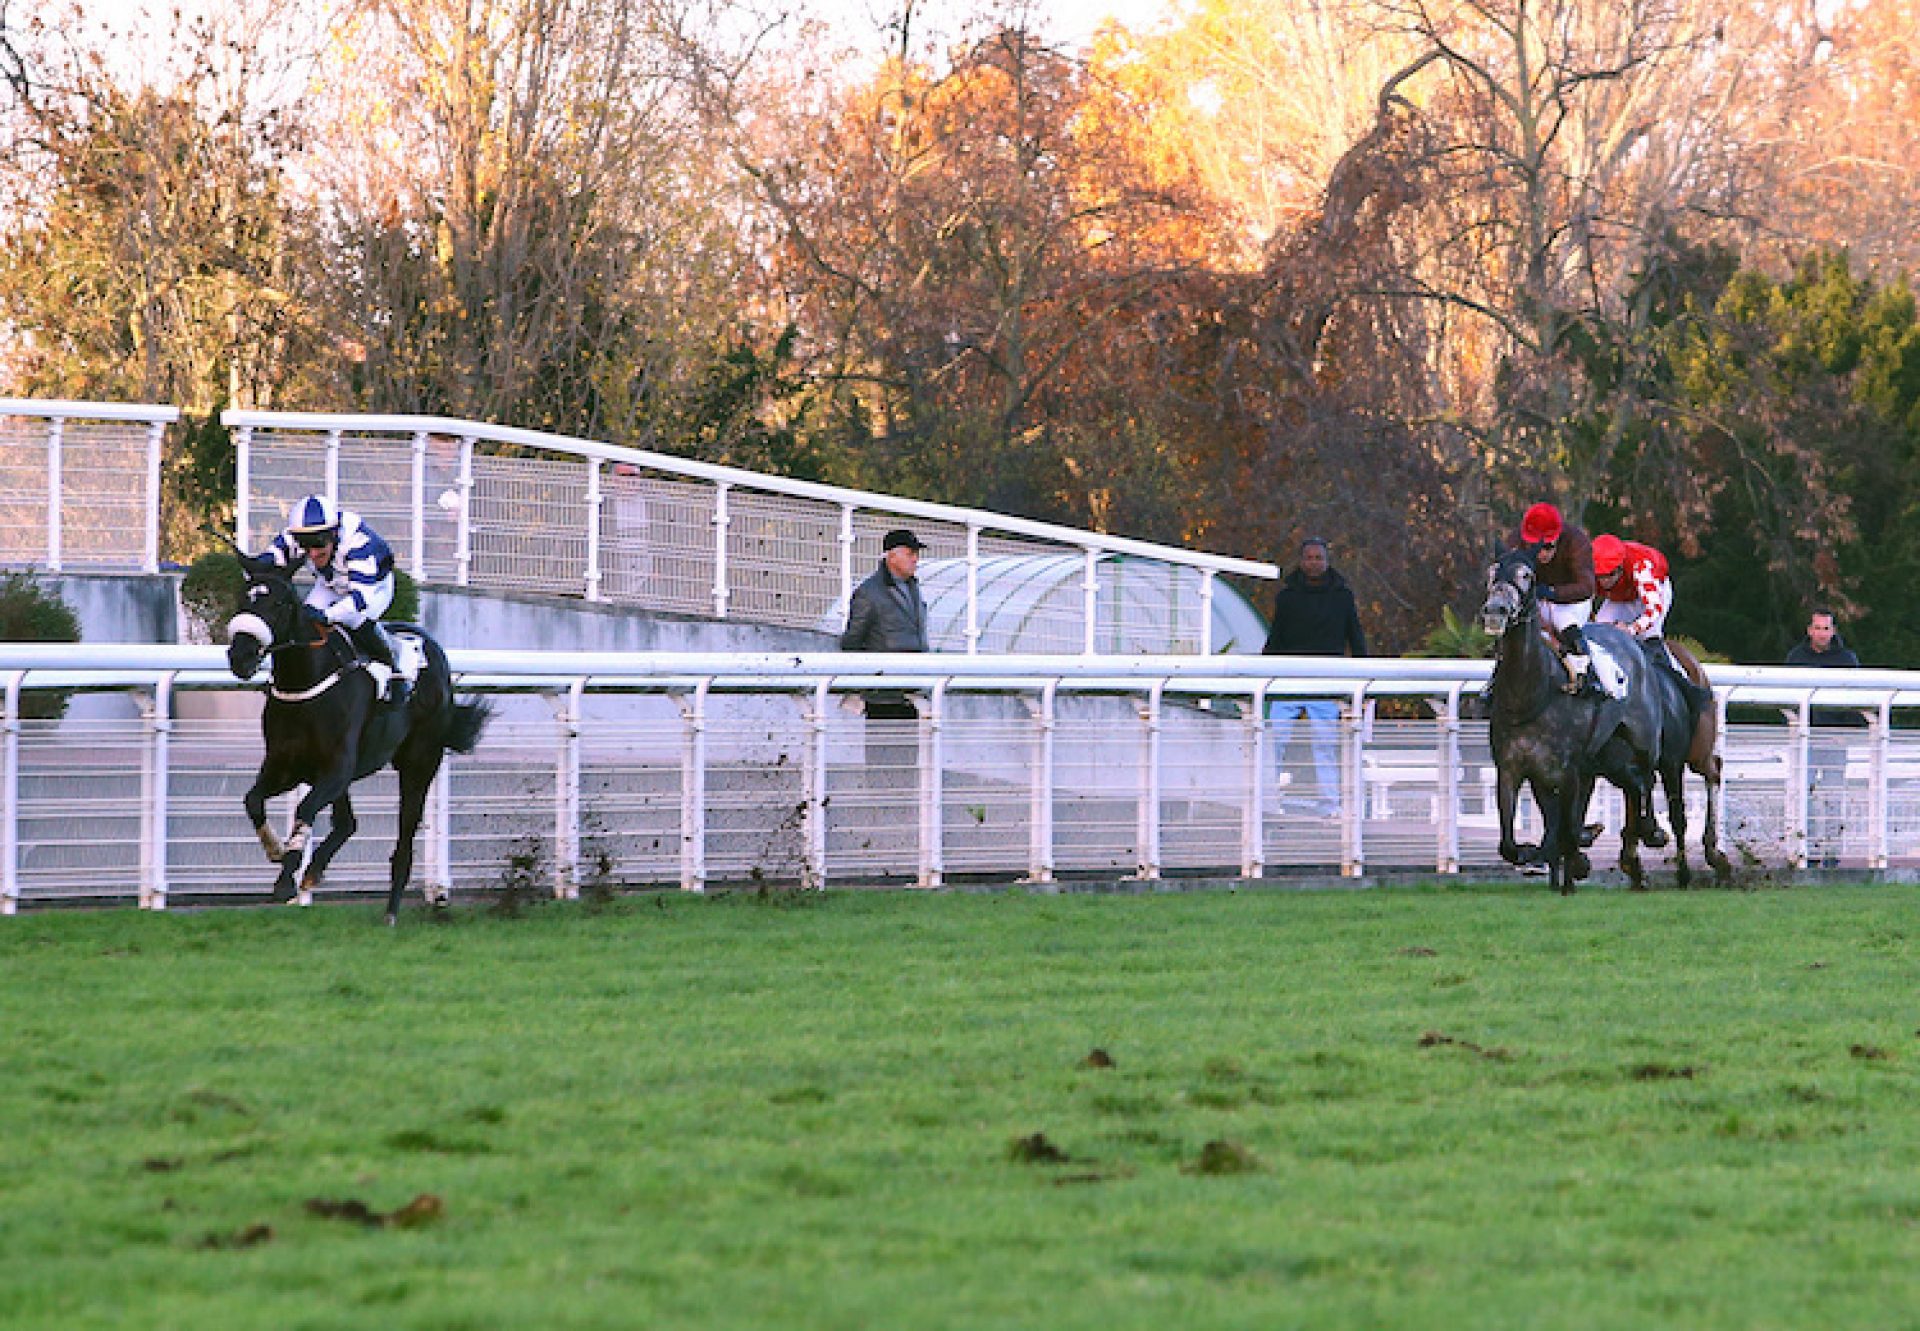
(80, 485)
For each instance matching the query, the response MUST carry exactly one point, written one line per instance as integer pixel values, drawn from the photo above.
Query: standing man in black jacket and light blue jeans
(1314, 616)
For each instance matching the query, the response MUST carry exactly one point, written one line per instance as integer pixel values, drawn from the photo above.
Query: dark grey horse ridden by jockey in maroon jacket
(1556, 742)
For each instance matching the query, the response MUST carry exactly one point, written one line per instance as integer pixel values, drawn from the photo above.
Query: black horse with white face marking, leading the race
(327, 727)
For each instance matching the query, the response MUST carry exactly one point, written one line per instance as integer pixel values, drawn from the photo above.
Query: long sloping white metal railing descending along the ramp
(527, 512)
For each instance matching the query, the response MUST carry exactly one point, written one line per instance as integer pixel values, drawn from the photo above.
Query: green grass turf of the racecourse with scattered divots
(1389, 1109)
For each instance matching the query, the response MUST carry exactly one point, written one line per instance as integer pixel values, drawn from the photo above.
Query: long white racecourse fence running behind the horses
(696, 771)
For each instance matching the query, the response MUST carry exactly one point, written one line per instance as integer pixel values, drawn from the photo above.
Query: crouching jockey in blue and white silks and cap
(352, 579)
